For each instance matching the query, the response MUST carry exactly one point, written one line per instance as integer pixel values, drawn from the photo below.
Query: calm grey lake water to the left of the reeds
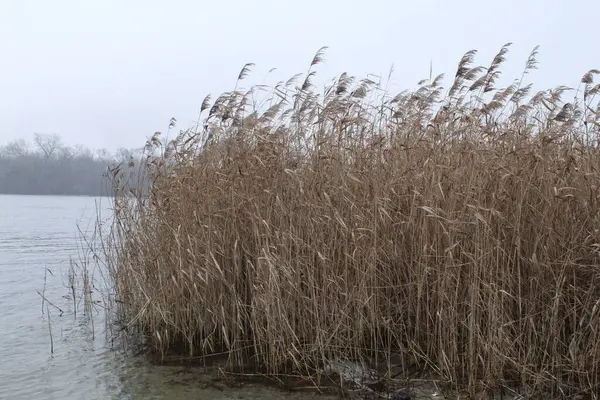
(38, 237)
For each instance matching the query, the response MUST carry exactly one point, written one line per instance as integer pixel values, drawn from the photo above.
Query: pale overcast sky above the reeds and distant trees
(110, 73)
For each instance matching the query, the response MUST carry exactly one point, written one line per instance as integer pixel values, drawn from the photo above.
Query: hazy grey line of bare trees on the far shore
(46, 166)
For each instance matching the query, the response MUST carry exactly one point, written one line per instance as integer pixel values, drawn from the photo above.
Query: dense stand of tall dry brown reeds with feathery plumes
(457, 228)
